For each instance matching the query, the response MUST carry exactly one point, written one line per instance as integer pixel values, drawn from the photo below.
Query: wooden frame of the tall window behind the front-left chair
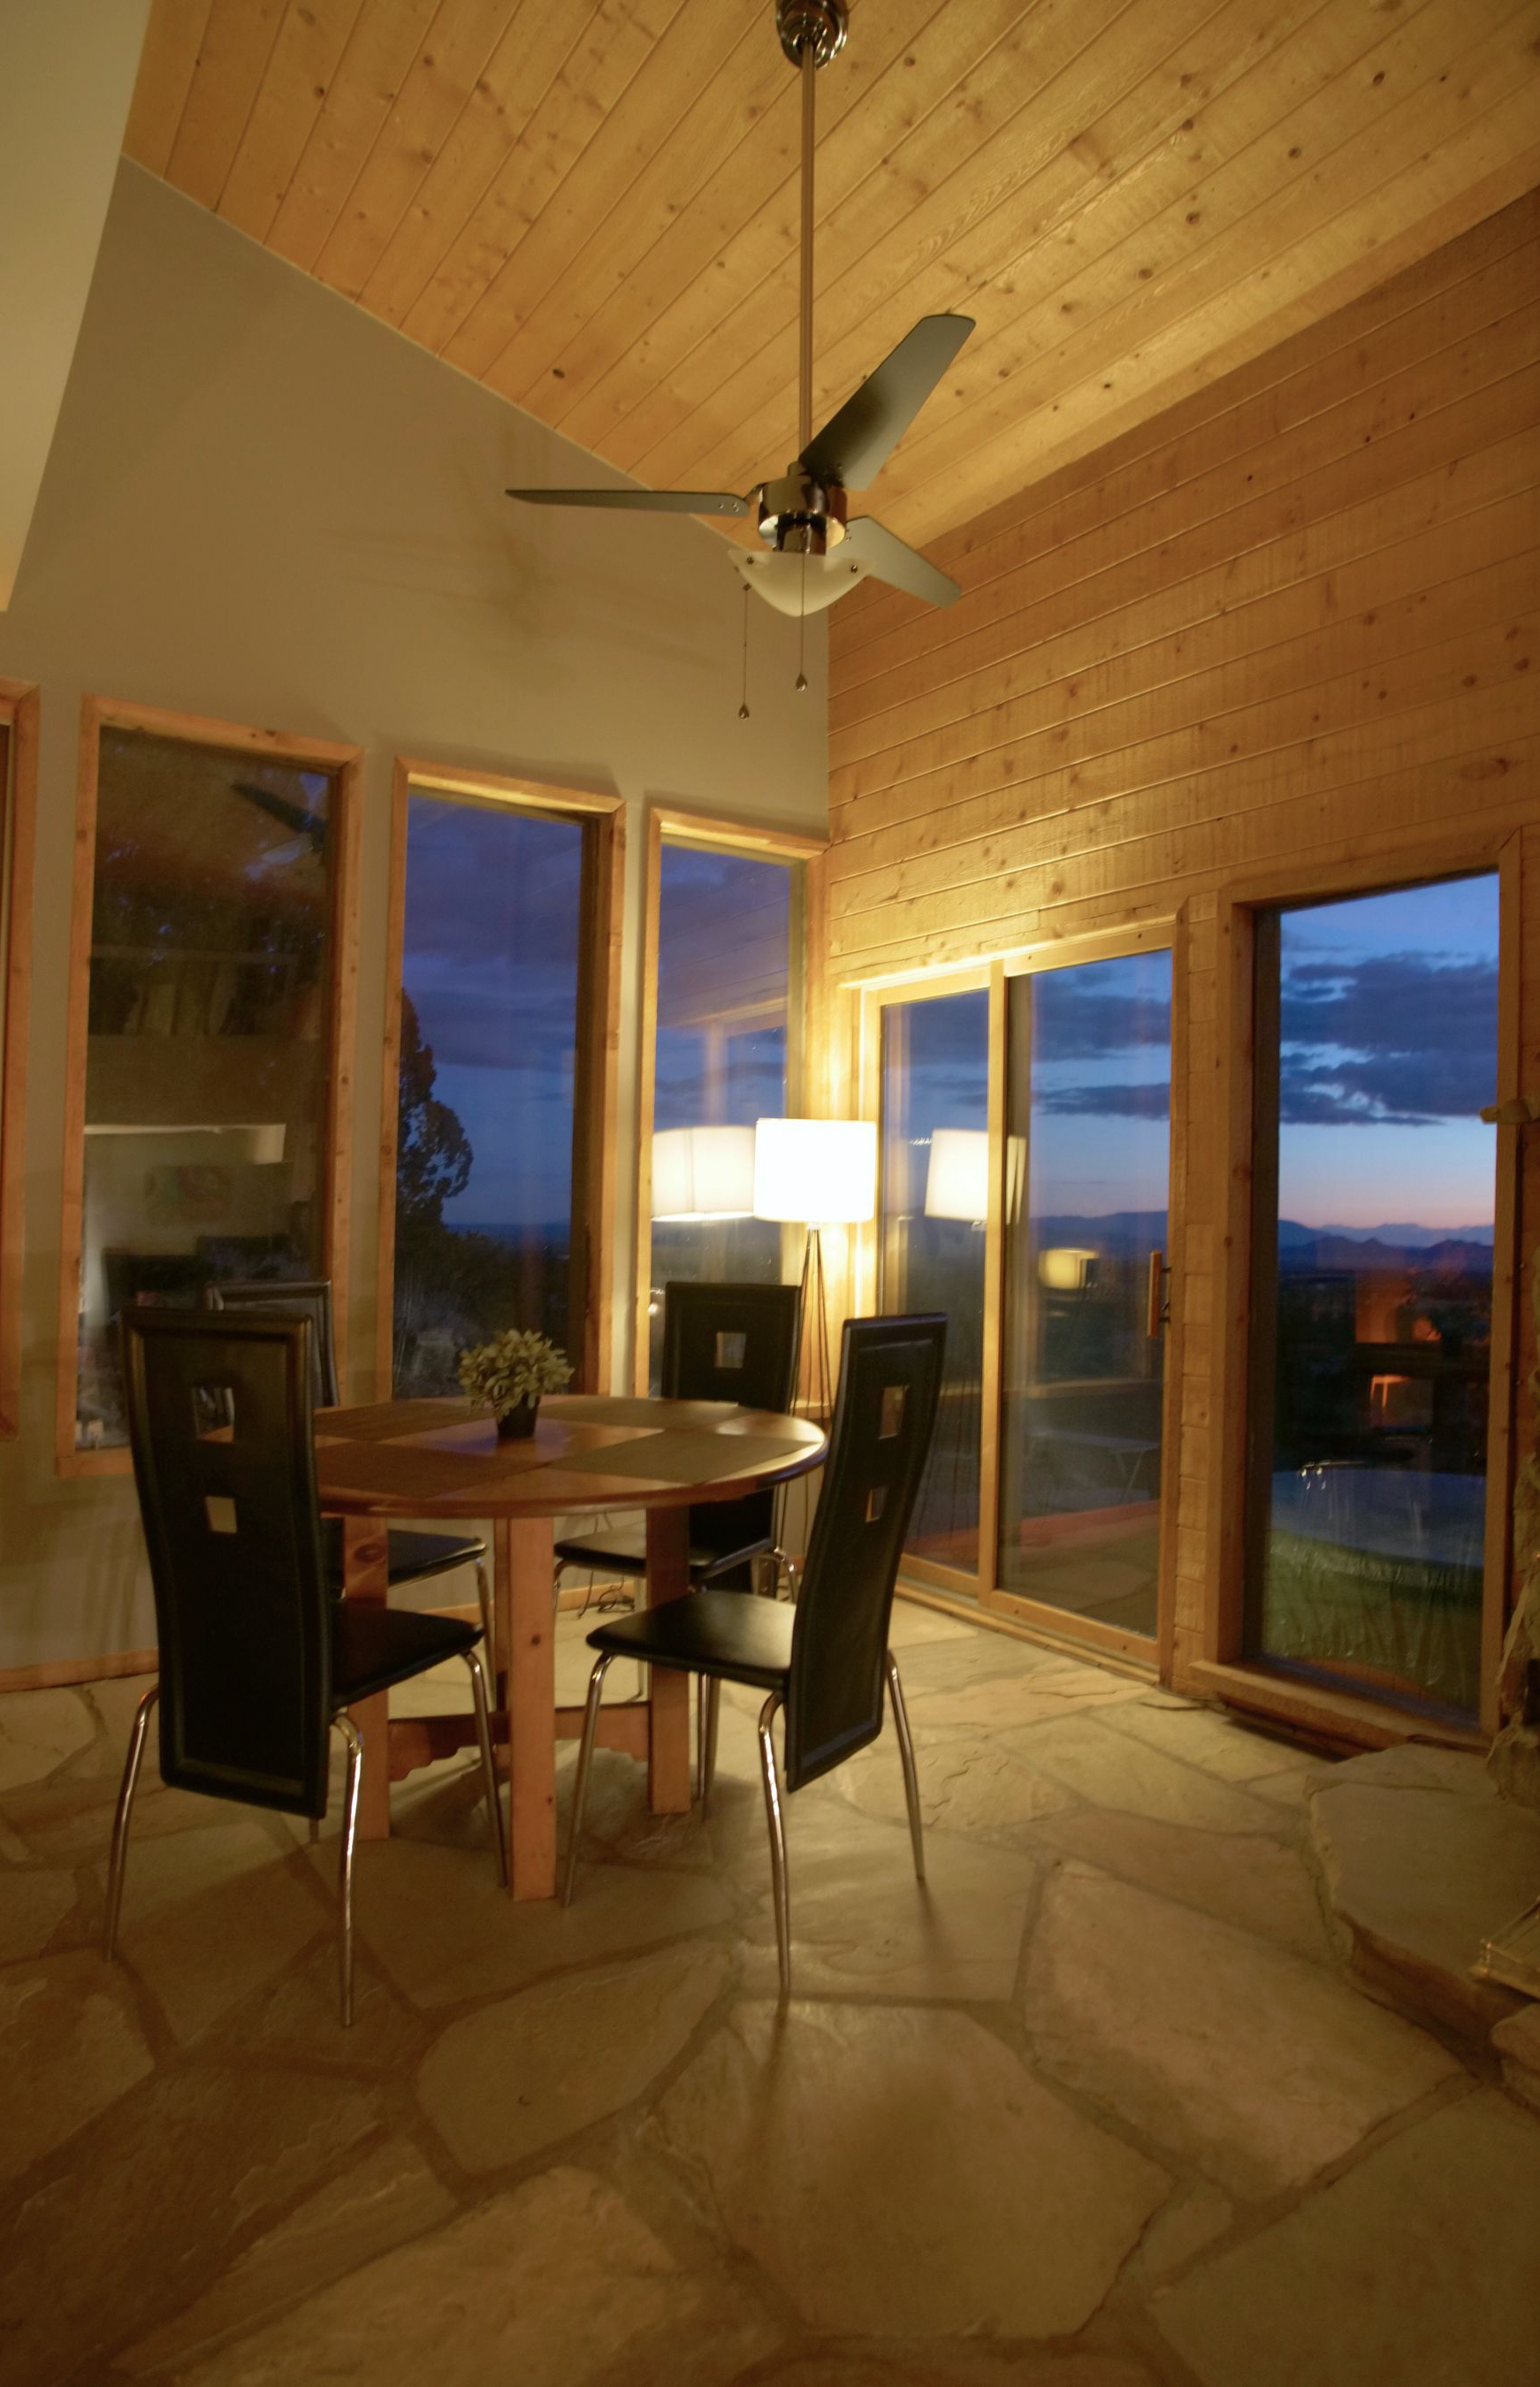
(345, 763)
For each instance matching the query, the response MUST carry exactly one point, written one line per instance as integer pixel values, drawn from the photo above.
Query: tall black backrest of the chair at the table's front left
(233, 1531)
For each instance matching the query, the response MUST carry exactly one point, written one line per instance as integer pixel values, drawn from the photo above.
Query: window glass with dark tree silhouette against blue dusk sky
(491, 963)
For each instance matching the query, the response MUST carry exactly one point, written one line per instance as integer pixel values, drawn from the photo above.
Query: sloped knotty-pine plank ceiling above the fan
(593, 204)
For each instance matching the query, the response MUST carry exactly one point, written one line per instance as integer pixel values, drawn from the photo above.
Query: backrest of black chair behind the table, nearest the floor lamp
(732, 1343)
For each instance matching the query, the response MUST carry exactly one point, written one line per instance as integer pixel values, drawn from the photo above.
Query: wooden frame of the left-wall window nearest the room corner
(667, 822)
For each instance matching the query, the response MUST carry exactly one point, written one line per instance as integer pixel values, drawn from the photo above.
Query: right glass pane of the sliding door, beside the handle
(1088, 1118)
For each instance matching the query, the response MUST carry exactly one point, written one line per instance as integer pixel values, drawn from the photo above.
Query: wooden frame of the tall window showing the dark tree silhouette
(598, 1035)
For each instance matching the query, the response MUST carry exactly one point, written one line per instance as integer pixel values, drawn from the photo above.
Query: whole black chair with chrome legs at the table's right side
(825, 1663)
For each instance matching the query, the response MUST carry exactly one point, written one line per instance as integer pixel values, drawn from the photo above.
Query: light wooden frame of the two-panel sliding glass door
(982, 1591)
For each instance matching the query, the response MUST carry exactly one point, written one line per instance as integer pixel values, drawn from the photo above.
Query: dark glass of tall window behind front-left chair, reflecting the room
(207, 1066)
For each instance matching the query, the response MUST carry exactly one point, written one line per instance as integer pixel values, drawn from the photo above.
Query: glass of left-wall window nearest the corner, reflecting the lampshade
(725, 1006)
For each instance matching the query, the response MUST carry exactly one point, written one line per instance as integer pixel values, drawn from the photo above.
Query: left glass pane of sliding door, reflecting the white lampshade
(935, 1204)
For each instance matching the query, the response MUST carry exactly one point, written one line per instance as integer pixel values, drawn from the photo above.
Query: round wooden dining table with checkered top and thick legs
(441, 1460)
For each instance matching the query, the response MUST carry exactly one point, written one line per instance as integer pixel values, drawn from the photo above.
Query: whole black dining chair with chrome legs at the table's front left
(259, 1660)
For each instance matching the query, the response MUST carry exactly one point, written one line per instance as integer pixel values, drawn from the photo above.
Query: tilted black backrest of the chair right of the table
(877, 1448)
